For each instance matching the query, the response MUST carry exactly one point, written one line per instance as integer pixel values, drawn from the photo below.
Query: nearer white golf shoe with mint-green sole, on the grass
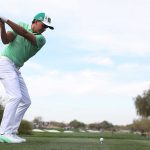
(9, 138)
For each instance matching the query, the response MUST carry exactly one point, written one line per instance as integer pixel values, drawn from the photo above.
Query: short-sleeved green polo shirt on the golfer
(21, 49)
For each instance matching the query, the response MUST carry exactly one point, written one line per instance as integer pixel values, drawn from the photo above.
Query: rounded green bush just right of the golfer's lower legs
(25, 127)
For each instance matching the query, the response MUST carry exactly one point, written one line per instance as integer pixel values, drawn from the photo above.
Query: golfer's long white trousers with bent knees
(18, 97)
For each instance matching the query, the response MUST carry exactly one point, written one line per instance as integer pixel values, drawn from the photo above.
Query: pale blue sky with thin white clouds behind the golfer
(94, 63)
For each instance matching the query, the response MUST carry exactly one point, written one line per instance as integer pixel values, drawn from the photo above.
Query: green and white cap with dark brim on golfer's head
(45, 19)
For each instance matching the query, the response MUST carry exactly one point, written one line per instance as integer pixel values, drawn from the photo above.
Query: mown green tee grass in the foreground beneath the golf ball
(56, 143)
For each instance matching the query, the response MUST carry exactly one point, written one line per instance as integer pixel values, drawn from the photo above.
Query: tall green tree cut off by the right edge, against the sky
(142, 104)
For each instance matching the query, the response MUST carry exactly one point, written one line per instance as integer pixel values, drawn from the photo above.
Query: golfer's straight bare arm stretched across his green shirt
(21, 31)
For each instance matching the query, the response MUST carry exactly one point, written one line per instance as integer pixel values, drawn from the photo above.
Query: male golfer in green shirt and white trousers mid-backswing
(23, 41)
